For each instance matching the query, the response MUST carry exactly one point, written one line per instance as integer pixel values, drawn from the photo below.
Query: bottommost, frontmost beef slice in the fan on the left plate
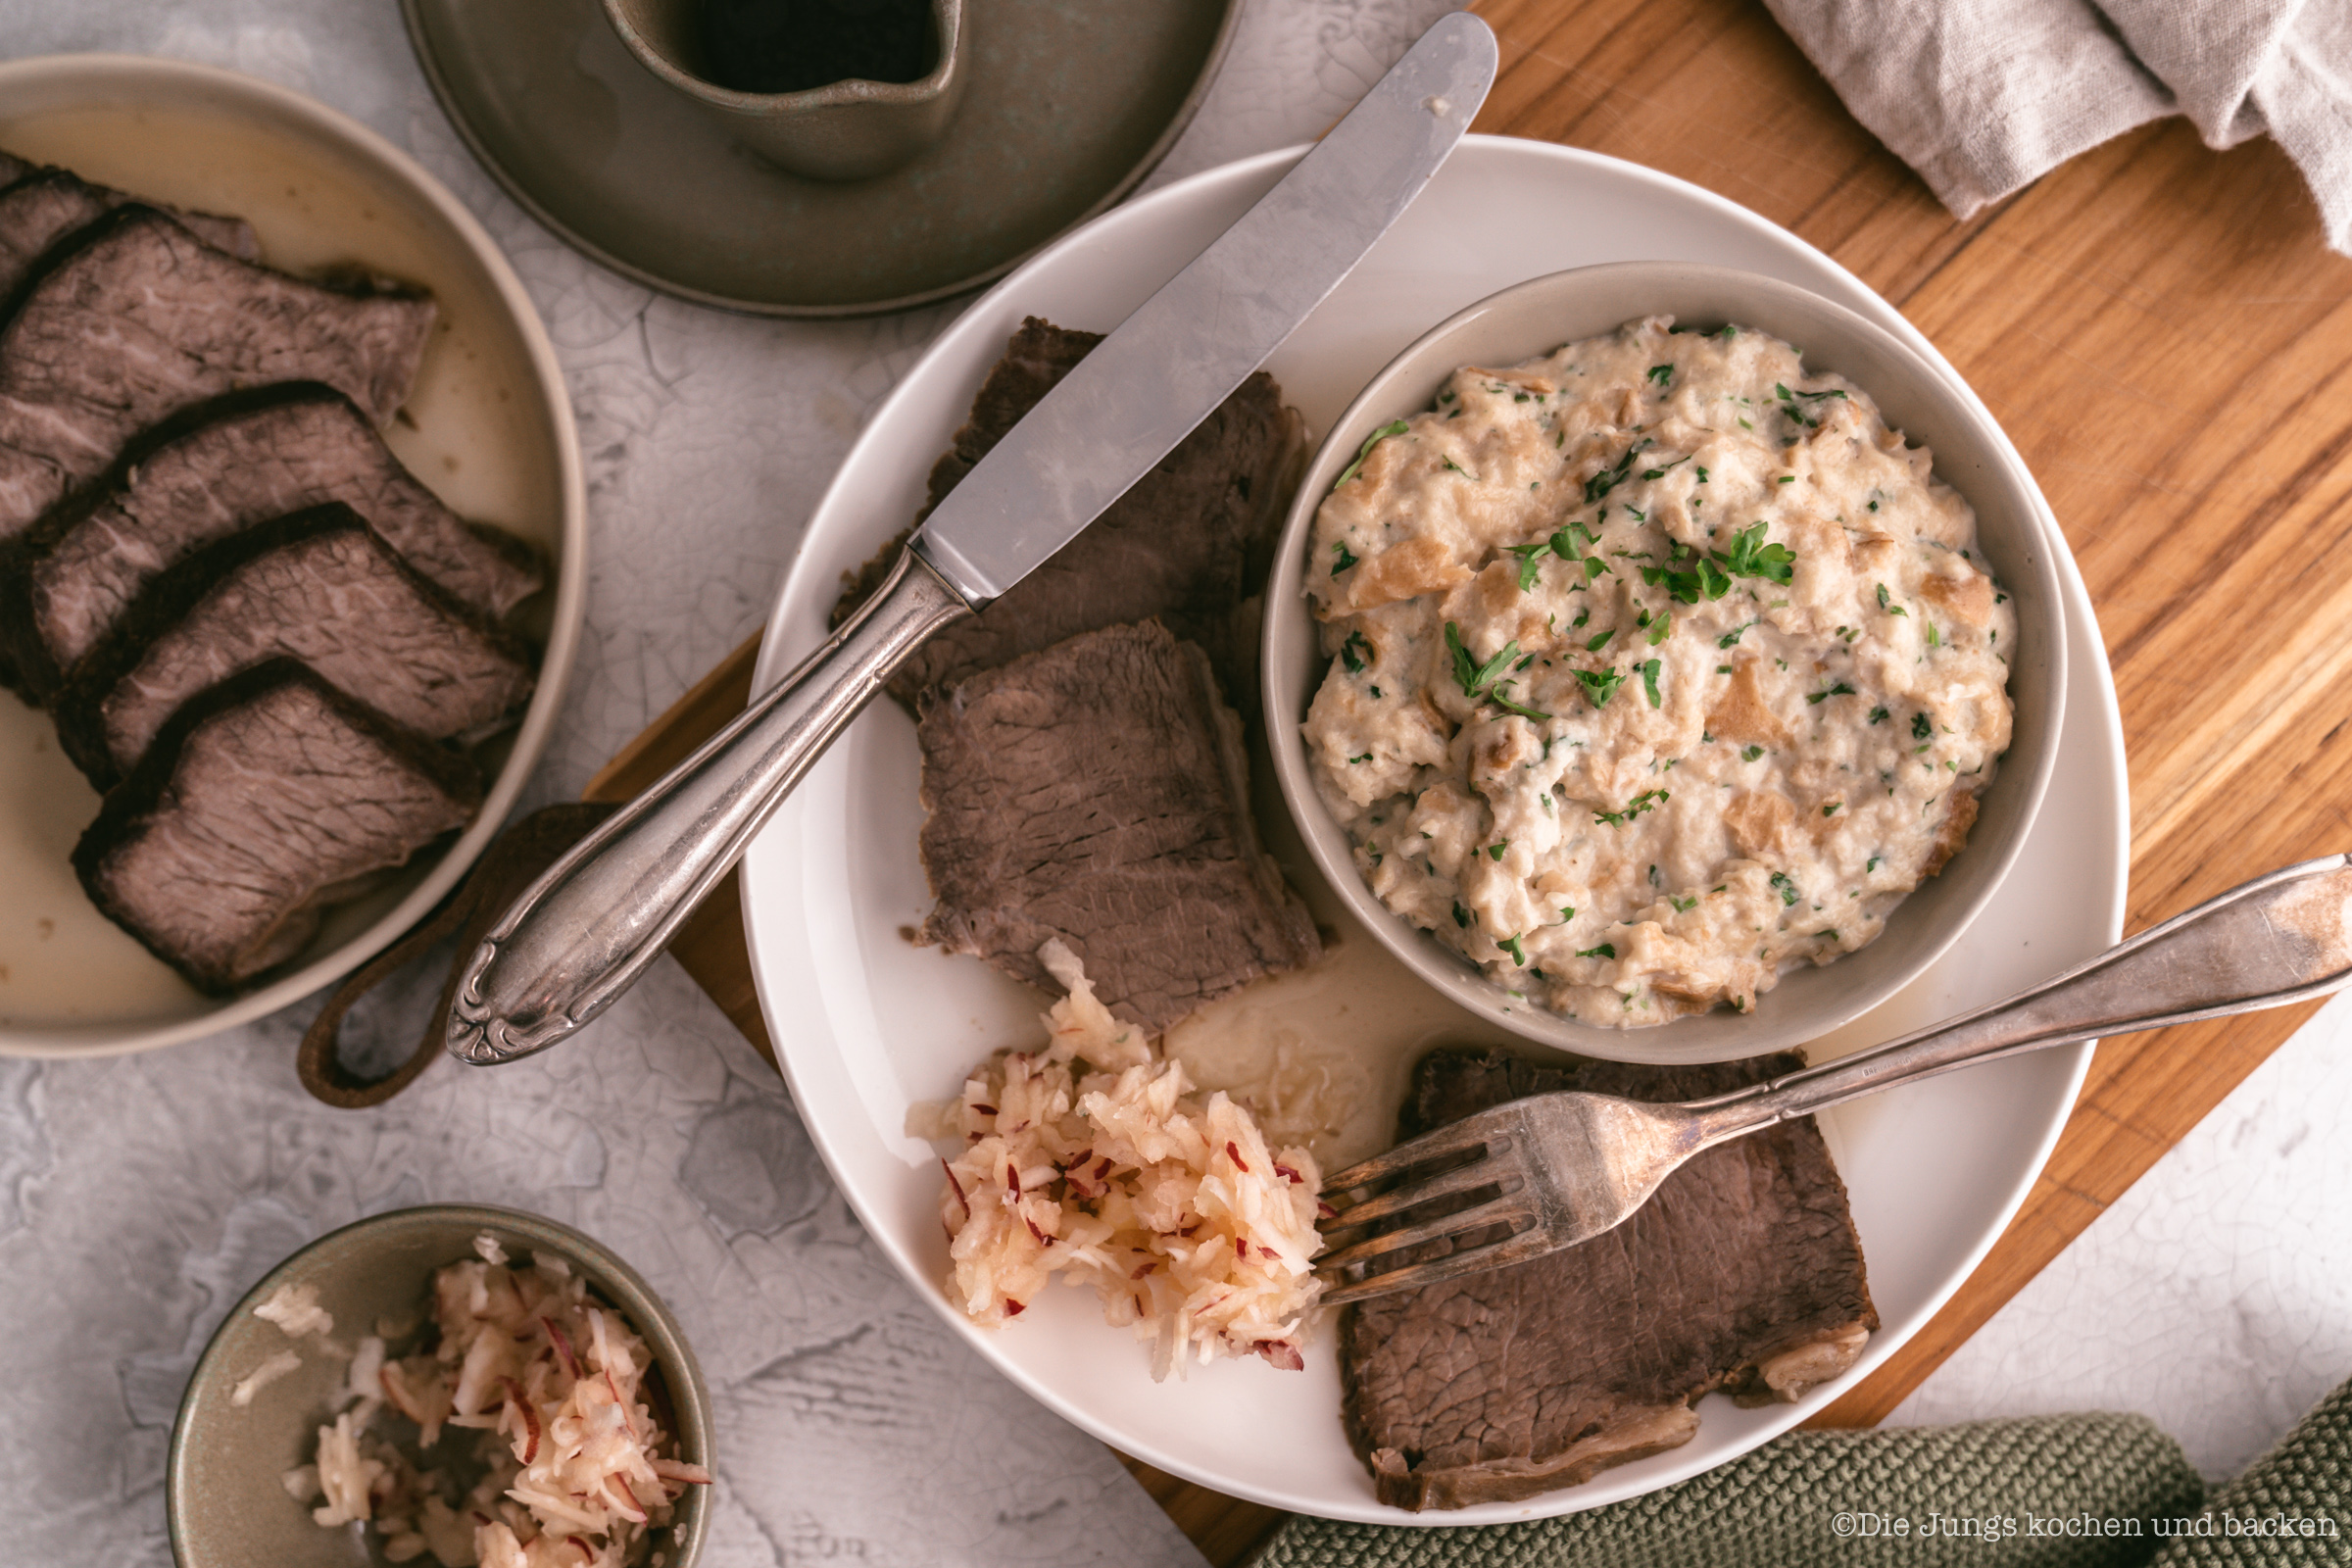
(262, 805)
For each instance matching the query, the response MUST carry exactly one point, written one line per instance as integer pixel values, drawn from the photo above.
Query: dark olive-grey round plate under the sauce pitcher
(1069, 107)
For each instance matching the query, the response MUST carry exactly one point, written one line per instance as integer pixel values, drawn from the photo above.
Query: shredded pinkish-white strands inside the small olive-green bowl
(552, 1379)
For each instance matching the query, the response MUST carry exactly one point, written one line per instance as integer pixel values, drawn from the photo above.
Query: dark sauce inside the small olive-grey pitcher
(791, 46)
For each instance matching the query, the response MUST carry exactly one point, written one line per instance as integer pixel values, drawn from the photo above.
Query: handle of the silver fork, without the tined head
(2266, 944)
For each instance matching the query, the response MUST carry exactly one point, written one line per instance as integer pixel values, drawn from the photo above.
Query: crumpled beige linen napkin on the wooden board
(1982, 98)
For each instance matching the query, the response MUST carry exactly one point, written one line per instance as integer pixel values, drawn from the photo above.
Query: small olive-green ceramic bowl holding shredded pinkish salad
(225, 1496)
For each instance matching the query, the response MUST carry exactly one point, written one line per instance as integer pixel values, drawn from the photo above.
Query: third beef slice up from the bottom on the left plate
(208, 474)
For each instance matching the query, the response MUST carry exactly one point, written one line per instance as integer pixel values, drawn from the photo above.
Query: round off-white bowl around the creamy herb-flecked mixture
(1970, 455)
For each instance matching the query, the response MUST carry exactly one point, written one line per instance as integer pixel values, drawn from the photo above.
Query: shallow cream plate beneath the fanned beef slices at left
(488, 427)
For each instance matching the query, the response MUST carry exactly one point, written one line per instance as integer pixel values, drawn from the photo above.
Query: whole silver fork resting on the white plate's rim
(1556, 1170)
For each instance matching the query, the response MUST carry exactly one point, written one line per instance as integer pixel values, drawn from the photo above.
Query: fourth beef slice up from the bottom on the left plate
(135, 319)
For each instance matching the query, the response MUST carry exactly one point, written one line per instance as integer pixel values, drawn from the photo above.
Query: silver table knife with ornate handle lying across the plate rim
(599, 918)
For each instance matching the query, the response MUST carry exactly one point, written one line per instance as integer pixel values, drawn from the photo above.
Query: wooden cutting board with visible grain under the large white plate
(2163, 335)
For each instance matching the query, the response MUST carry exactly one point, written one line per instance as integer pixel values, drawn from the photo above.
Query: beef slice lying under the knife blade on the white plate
(1189, 544)
